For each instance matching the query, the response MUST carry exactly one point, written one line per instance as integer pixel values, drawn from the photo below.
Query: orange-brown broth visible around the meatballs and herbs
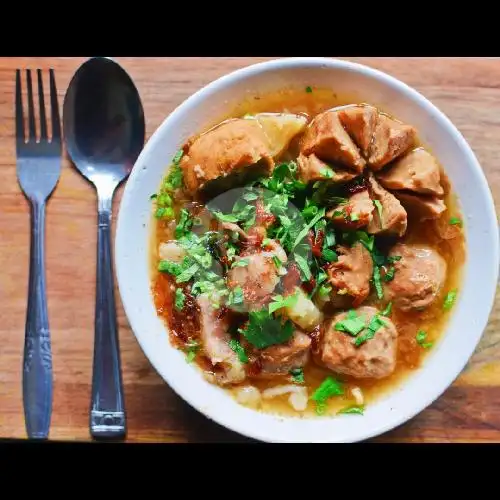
(448, 240)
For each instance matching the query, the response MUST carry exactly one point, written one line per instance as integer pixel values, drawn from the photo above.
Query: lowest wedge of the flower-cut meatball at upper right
(389, 217)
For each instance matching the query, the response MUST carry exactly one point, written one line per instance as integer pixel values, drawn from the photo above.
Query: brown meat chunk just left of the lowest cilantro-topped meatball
(280, 359)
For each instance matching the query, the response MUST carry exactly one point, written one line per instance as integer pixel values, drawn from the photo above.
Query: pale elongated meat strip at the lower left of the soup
(215, 343)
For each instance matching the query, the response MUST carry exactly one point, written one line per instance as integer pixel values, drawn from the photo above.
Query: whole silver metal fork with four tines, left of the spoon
(38, 170)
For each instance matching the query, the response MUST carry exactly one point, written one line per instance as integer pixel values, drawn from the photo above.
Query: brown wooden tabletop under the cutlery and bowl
(467, 90)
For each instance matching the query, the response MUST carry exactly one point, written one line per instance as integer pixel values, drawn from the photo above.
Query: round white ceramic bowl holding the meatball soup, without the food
(475, 297)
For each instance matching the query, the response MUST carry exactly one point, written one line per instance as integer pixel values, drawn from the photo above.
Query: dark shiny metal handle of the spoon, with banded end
(107, 416)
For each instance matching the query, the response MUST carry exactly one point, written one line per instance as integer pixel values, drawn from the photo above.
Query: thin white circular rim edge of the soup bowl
(424, 400)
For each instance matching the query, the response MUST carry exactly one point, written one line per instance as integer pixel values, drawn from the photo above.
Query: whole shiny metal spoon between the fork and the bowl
(104, 130)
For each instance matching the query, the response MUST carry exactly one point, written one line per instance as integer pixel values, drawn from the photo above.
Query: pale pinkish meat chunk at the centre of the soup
(258, 276)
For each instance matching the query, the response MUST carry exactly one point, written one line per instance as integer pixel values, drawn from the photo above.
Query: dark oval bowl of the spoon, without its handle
(104, 124)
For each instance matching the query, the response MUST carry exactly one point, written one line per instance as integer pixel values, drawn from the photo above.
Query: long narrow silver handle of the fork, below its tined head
(37, 363)
